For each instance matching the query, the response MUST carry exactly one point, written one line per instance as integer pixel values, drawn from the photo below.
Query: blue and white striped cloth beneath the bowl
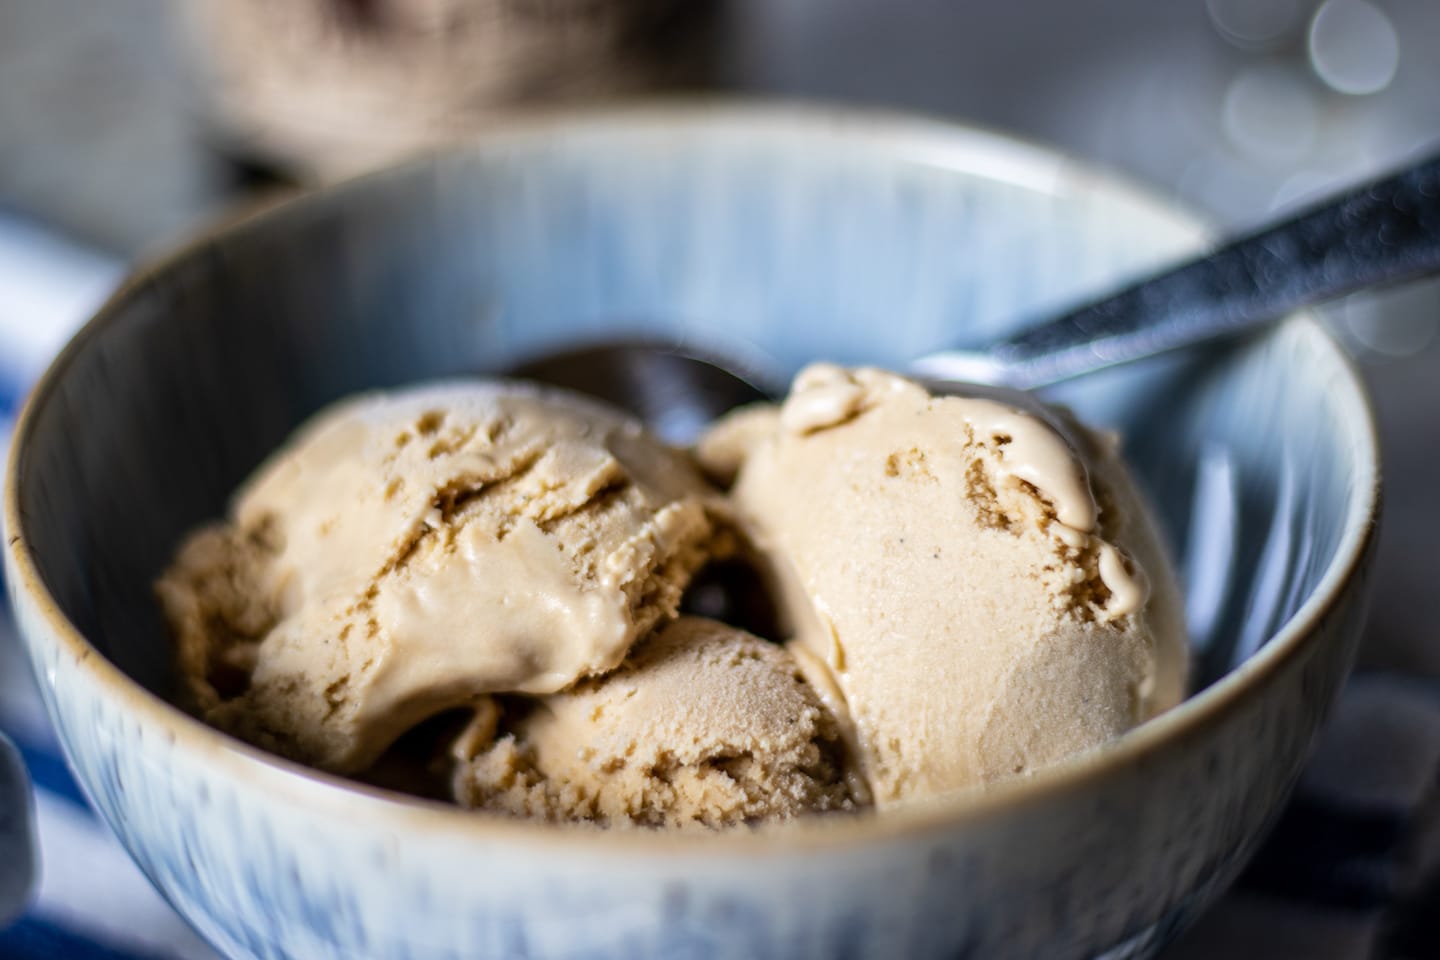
(1351, 871)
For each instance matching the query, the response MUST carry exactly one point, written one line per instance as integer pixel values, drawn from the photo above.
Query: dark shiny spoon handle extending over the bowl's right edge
(1377, 234)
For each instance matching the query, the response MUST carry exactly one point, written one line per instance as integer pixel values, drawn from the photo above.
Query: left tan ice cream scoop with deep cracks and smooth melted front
(414, 552)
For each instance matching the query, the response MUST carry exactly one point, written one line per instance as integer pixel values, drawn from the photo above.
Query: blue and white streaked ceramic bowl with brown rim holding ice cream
(778, 235)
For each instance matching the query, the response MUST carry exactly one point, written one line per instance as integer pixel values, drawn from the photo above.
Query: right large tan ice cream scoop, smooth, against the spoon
(958, 581)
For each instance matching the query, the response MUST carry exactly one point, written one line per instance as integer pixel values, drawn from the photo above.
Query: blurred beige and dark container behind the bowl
(333, 87)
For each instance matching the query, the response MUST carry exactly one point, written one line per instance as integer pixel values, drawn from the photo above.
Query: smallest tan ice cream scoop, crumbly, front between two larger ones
(703, 725)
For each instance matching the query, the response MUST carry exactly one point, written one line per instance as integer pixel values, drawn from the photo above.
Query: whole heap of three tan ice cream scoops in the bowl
(963, 598)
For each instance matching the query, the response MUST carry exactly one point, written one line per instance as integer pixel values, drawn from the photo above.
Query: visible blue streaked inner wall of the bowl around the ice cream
(774, 237)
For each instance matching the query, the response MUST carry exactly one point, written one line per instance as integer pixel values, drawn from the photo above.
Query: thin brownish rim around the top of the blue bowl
(904, 136)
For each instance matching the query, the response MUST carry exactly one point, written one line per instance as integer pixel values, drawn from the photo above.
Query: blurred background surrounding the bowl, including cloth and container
(127, 124)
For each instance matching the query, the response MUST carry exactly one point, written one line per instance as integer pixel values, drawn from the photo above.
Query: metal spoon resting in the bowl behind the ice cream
(1382, 232)
